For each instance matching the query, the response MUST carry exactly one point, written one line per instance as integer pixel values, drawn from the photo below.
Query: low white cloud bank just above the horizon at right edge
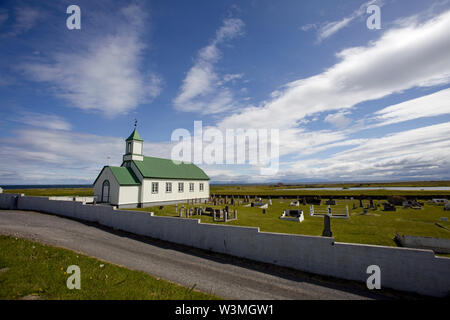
(417, 153)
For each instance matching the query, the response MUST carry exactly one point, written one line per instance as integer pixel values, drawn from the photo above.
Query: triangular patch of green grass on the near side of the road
(33, 269)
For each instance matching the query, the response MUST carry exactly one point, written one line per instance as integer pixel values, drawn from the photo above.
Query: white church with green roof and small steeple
(147, 181)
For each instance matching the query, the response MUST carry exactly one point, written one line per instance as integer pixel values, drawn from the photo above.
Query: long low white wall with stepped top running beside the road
(412, 270)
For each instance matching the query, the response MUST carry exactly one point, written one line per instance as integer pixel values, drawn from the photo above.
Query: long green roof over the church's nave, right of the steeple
(152, 167)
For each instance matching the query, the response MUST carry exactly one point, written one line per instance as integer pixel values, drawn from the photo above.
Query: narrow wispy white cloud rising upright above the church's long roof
(203, 89)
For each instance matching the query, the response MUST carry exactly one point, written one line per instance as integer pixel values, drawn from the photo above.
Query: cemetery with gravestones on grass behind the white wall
(353, 220)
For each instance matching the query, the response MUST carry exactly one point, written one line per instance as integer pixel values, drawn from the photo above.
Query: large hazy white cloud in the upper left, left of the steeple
(105, 75)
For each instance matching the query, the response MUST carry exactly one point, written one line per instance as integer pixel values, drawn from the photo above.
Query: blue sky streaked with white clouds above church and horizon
(350, 103)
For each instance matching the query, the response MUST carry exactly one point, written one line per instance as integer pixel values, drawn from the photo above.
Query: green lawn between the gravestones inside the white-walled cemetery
(376, 227)
